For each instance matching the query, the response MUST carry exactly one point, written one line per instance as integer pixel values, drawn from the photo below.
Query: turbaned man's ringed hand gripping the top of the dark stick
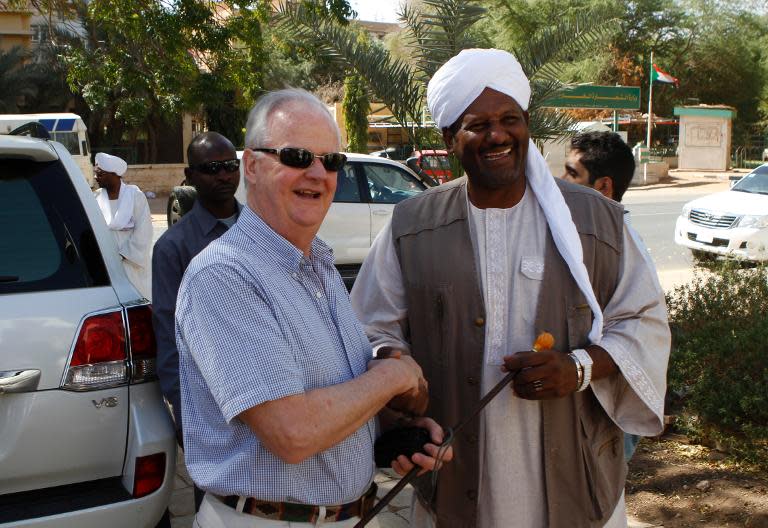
(542, 375)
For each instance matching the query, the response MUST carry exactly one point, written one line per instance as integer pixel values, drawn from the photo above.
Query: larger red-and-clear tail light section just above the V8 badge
(98, 359)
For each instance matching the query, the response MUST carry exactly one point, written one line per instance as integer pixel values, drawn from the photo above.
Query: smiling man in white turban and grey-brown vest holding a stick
(464, 278)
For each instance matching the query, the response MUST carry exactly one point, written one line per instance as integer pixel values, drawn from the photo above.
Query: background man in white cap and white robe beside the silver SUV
(126, 211)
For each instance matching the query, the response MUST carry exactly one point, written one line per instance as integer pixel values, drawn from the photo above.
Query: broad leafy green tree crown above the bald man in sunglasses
(146, 62)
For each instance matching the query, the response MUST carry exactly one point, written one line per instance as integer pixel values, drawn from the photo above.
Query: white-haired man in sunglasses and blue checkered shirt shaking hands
(280, 394)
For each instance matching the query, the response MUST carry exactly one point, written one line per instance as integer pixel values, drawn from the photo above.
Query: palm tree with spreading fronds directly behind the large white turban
(437, 31)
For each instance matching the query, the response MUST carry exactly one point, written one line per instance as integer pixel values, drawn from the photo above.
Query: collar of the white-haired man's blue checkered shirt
(281, 249)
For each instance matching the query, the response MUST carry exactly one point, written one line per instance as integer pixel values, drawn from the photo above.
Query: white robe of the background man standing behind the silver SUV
(131, 225)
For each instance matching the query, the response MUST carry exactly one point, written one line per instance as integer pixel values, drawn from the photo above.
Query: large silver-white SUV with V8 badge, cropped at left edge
(85, 440)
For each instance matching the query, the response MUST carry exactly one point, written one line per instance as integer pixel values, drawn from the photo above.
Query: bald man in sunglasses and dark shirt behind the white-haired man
(214, 172)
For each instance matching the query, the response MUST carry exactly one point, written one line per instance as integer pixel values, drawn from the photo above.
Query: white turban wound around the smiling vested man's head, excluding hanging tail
(462, 79)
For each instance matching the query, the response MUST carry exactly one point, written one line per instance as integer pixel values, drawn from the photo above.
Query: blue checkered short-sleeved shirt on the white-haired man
(257, 321)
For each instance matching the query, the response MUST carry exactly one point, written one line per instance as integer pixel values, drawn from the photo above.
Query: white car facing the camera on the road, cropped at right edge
(733, 223)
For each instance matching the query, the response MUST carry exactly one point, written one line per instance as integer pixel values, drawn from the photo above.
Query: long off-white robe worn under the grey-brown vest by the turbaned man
(511, 242)
